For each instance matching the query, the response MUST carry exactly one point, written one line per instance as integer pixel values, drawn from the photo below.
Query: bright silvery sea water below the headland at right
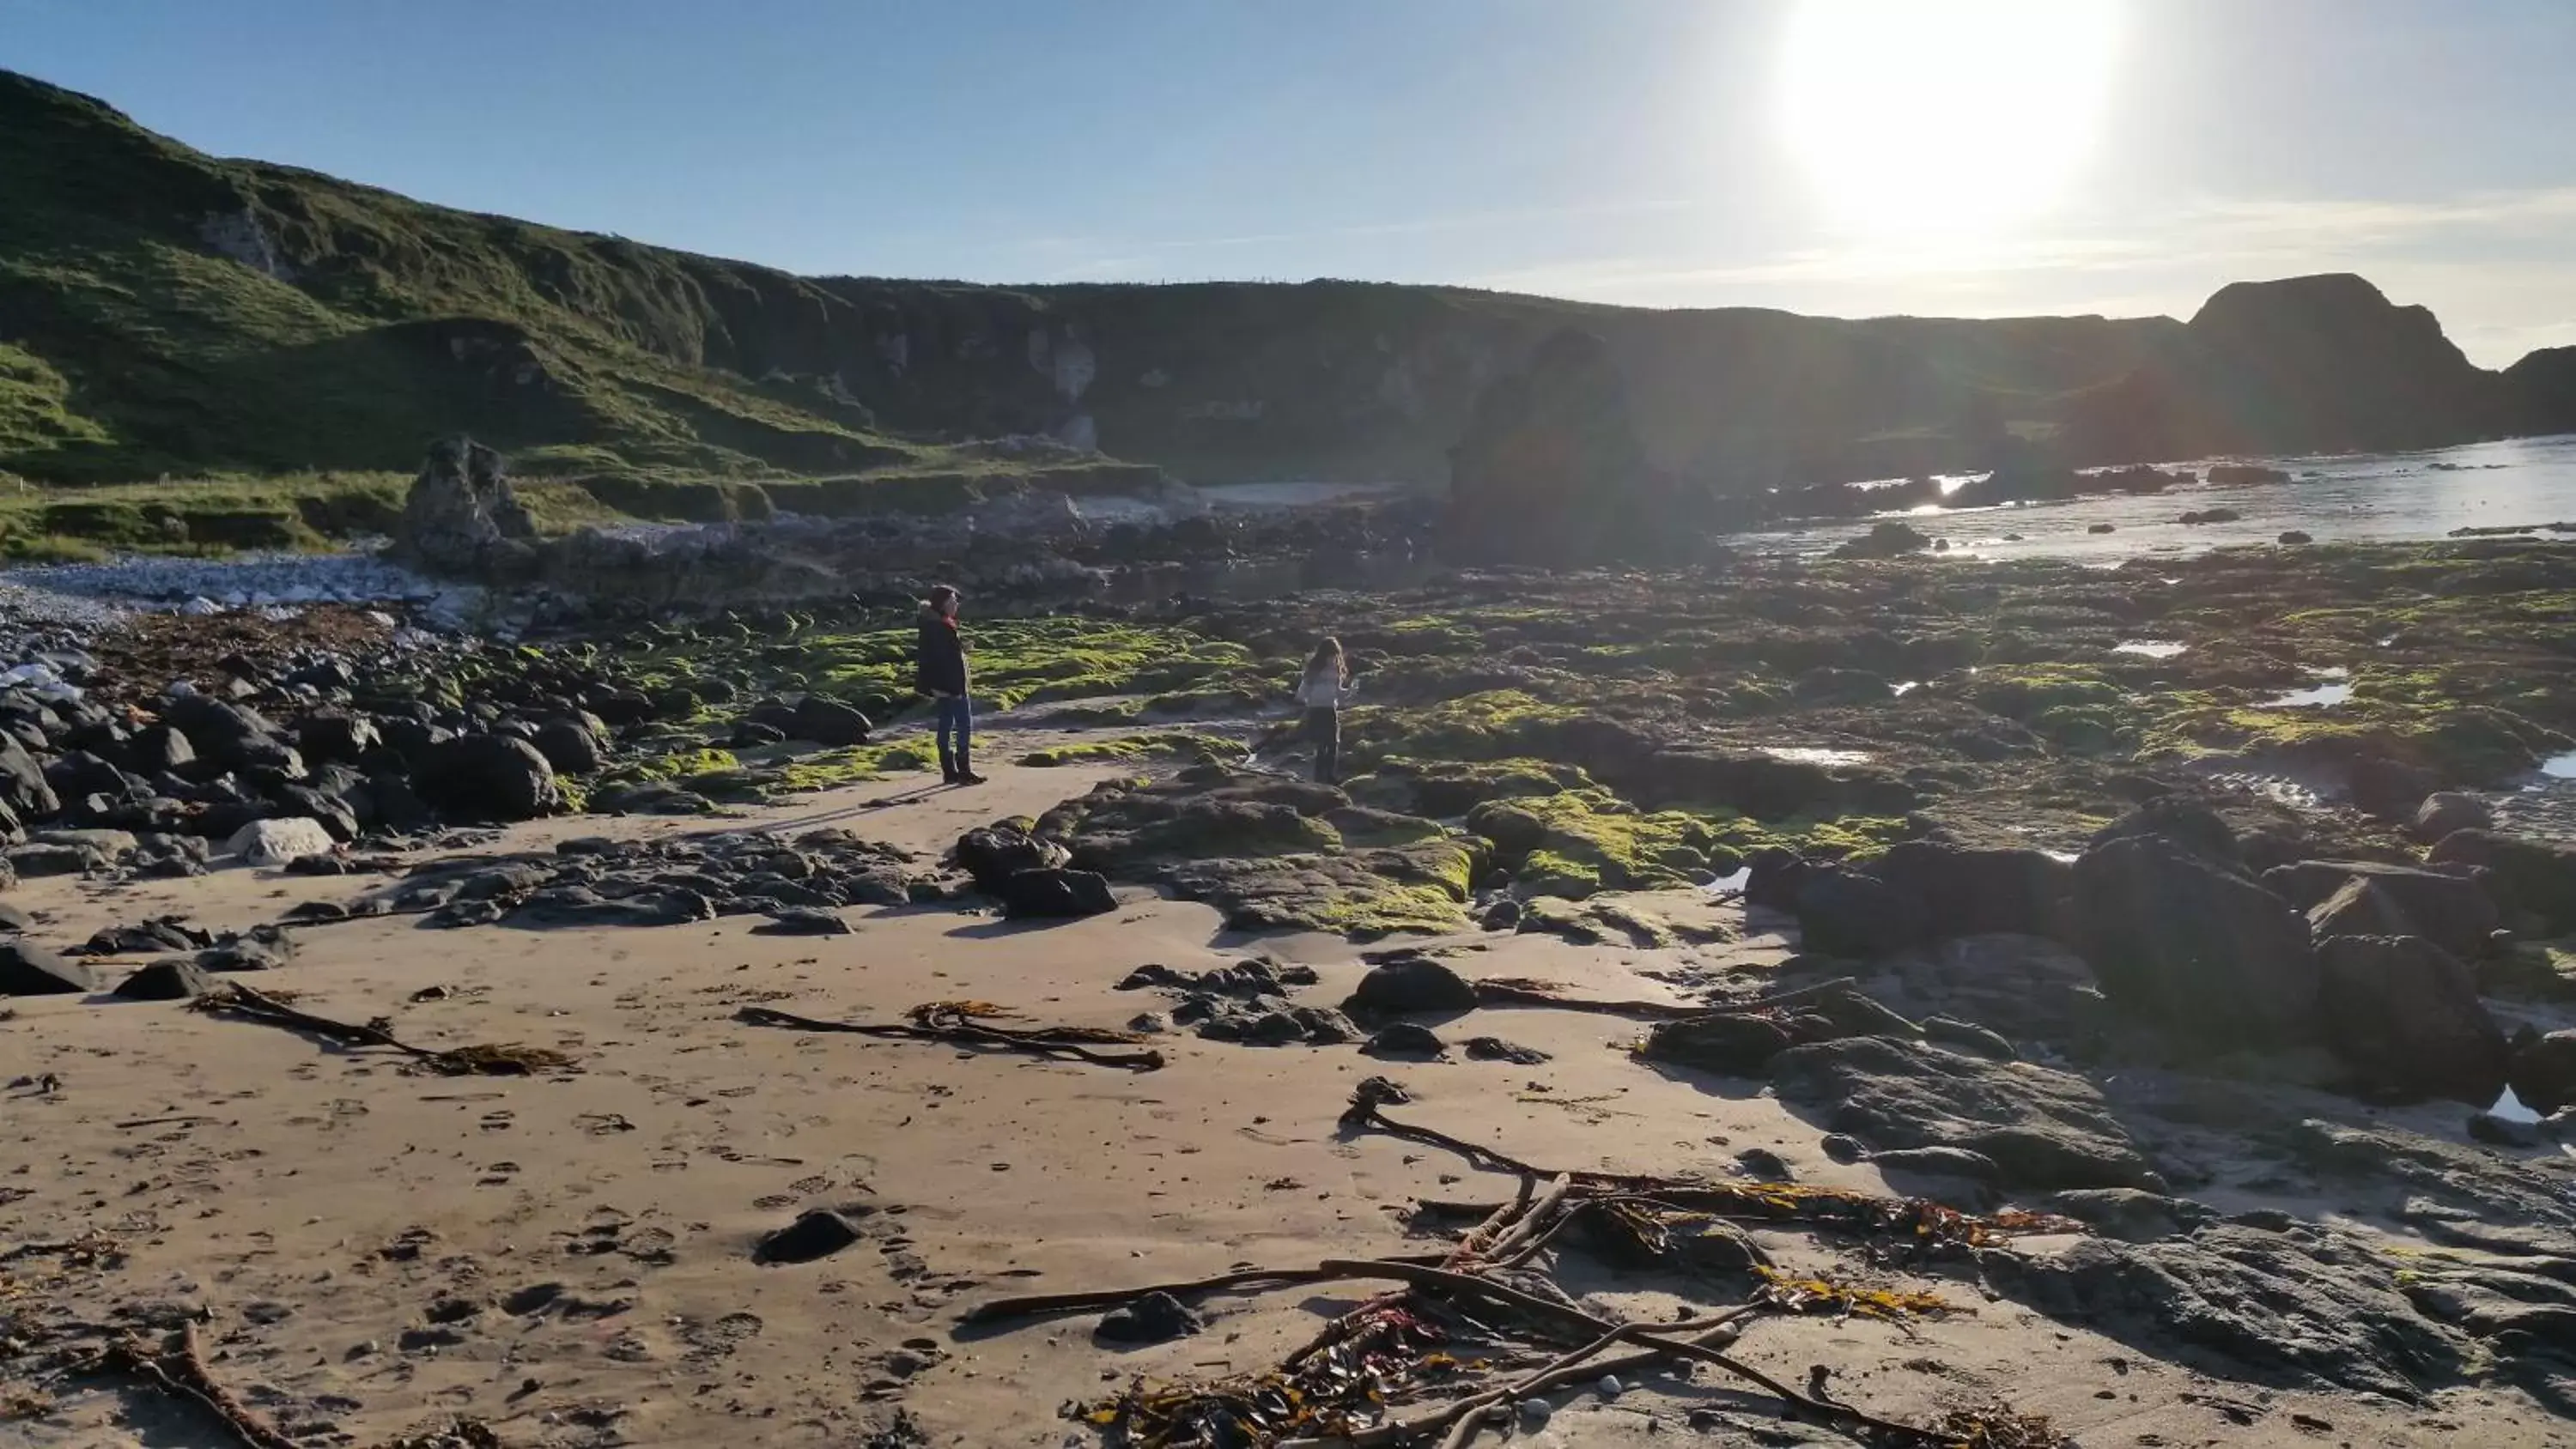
(2374, 498)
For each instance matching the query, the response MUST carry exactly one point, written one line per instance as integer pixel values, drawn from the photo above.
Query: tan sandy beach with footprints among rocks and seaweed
(571, 1260)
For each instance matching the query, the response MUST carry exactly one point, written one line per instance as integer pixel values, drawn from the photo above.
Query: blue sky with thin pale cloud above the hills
(1616, 151)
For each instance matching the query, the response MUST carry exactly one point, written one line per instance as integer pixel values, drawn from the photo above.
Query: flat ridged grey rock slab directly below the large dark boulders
(2044, 1129)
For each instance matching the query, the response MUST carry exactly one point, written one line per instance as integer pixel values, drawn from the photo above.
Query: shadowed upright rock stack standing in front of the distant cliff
(1552, 470)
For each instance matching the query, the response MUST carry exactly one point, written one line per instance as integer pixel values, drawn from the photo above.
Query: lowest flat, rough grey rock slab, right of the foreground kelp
(2317, 1314)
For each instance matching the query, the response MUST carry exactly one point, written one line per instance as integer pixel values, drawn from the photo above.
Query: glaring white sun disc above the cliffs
(1944, 115)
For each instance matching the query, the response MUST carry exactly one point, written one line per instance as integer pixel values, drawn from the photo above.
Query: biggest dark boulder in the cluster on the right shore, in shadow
(2196, 948)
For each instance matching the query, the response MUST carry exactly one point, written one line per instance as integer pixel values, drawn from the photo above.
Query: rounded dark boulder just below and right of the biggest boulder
(2407, 1015)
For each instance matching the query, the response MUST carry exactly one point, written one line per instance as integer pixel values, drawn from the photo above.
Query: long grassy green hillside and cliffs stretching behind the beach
(166, 313)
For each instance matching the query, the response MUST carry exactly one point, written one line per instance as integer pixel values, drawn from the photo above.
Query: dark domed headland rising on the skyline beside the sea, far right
(2294, 367)
